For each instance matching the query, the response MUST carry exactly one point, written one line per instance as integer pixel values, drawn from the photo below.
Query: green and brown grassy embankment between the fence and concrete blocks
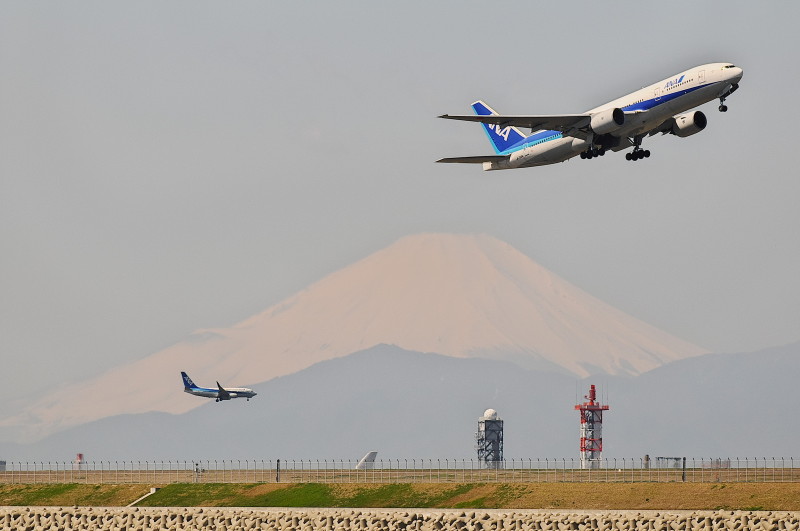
(689, 496)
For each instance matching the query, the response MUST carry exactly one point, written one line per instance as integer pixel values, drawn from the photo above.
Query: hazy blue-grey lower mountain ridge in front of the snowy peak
(424, 405)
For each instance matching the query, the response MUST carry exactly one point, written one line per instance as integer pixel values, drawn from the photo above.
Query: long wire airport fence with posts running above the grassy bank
(546, 470)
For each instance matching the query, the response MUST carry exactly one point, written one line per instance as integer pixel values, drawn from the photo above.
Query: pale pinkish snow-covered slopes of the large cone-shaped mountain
(457, 295)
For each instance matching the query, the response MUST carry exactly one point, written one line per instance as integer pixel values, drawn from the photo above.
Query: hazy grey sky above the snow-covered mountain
(169, 166)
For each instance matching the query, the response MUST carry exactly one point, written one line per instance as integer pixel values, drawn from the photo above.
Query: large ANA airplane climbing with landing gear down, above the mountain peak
(664, 107)
